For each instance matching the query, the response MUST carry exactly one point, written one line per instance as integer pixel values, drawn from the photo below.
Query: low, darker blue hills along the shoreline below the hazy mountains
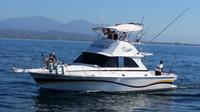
(46, 35)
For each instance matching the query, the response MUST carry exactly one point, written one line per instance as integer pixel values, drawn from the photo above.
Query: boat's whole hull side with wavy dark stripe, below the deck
(106, 84)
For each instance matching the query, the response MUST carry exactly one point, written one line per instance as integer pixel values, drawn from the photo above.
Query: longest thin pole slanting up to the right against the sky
(170, 24)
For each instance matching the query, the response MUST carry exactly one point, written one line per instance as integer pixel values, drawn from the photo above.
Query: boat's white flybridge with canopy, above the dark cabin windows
(115, 40)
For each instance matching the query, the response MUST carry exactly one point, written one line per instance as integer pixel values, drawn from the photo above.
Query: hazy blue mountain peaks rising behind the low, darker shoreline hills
(40, 23)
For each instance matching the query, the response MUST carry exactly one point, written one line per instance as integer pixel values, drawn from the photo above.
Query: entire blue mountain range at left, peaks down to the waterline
(40, 27)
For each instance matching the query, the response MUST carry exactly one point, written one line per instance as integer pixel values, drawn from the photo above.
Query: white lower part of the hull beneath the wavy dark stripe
(102, 86)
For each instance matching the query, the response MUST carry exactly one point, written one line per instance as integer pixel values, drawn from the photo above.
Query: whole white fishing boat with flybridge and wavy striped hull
(110, 64)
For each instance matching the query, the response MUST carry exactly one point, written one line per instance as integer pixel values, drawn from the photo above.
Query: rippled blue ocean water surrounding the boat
(19, 92)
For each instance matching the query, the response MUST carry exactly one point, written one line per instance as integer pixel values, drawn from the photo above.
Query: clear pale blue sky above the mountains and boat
(157, 14)
